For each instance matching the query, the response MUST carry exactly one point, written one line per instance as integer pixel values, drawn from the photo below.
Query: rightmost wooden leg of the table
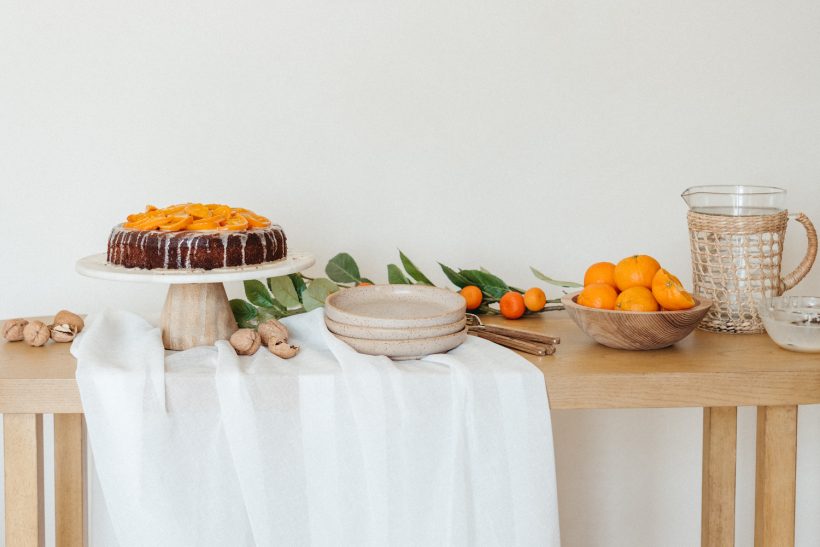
(776, 476)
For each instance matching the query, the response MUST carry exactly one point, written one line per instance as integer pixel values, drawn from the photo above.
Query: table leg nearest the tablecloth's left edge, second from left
(69, 487)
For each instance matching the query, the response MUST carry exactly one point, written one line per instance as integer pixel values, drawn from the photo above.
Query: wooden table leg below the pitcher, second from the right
(719, 459)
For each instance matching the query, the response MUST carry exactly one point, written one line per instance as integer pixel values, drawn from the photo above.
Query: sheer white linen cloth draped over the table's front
(202, 447)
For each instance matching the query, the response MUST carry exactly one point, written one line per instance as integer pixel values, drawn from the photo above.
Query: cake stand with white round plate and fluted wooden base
(196, 310)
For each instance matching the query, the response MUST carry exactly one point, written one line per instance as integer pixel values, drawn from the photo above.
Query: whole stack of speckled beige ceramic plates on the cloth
(399, 321)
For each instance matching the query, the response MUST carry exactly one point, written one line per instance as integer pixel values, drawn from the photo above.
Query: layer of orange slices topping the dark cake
(195, 217)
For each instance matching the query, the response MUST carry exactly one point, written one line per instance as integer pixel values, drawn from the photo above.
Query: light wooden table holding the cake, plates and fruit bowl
(713, 371)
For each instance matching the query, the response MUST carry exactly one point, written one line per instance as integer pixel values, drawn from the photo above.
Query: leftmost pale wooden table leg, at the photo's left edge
(23, 453)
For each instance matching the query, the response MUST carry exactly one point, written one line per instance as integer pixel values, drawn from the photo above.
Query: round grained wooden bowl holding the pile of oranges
(636, 330)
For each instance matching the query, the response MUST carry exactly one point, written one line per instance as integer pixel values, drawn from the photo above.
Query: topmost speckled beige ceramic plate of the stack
(395, 306)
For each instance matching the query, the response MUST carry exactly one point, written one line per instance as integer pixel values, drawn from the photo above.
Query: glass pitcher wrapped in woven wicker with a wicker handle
(736, 236)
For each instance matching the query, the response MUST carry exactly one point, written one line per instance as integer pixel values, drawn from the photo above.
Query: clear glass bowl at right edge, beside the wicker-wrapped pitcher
(793, 322)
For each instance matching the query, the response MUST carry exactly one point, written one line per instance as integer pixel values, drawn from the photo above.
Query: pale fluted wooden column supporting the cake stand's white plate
(196, 314)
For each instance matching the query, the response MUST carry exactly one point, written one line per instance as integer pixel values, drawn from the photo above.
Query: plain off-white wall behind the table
(502, 134)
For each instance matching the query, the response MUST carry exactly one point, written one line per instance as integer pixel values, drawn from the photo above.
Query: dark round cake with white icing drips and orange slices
(194, 236)
